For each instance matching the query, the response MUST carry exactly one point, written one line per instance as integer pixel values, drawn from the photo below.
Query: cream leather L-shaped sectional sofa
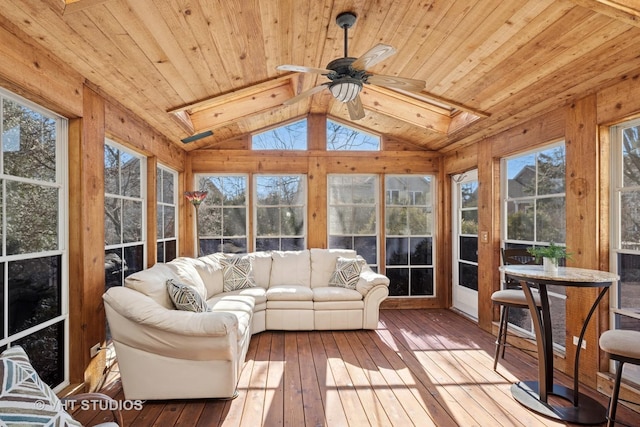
(169, 353)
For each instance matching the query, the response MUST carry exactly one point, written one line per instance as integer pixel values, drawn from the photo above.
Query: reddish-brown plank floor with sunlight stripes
(420, 367)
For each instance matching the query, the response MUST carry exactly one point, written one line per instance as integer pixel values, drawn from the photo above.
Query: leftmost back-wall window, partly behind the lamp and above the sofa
(223, 214)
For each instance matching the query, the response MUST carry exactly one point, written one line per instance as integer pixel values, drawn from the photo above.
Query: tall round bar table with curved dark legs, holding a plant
(535, 394)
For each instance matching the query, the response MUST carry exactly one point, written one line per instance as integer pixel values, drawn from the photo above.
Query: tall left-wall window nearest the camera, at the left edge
(33, 247)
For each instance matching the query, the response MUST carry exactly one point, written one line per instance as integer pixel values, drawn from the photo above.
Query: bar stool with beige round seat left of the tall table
(512, 297)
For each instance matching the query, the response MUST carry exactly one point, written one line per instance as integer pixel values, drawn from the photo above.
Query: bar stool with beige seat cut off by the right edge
(622, 346)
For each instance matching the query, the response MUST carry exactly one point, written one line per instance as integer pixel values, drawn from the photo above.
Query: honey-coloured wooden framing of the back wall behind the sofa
(316, 163)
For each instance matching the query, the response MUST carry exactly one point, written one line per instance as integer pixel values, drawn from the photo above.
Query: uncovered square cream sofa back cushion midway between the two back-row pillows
(290, 268)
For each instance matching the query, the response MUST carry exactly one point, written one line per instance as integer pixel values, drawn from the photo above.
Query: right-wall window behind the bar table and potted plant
(533, 188)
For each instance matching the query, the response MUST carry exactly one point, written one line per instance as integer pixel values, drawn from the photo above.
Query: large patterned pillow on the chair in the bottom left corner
(25, 399)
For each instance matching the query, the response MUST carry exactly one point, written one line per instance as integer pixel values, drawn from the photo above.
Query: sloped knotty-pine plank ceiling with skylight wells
(188, 66)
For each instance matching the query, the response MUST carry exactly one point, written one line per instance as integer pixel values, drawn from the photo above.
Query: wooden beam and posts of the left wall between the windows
(36, 75)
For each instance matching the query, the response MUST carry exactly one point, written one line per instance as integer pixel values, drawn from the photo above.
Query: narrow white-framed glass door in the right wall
(464, 191)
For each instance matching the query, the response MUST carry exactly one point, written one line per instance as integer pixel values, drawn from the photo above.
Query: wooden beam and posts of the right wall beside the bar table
(583, 125)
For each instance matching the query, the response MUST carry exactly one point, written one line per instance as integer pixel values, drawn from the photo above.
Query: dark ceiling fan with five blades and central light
(348, 75)
